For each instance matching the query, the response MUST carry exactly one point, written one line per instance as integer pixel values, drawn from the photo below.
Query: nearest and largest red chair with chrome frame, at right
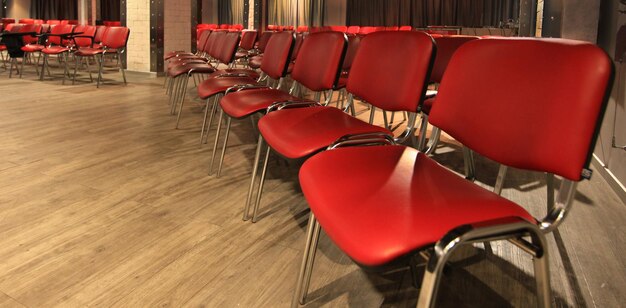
(407, 203)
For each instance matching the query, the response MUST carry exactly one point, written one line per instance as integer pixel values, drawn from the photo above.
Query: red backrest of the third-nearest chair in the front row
(319, 60)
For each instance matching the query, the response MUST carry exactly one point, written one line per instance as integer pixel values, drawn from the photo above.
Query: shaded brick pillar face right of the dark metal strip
(177, 19)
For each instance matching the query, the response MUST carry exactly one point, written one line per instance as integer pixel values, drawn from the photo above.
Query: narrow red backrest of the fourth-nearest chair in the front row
(276, 58)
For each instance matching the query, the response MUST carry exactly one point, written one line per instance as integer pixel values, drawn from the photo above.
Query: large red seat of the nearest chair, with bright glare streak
(399, 201)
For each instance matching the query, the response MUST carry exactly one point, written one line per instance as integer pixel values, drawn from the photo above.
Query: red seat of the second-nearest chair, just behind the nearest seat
(300, 132)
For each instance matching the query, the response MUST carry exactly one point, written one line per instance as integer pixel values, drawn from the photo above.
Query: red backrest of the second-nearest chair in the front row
(401, 61)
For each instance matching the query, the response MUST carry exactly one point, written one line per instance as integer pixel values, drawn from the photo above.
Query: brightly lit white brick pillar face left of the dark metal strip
(138, 20)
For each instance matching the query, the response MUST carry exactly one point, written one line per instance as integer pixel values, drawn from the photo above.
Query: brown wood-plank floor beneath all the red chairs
(104, 203)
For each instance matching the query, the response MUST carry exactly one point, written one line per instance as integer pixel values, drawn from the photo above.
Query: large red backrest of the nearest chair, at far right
(527, 103)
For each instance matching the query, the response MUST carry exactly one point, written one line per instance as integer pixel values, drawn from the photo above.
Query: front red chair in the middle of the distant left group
(57, 46)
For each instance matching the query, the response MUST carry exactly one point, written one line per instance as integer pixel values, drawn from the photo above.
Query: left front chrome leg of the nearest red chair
(308, 258)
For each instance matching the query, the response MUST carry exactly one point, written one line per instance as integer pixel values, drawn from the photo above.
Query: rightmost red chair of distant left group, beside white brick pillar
(113, 43)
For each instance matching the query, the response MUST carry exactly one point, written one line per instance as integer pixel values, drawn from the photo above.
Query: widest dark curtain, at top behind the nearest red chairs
(422, 13)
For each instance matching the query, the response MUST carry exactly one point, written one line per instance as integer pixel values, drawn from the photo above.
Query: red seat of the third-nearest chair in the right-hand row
(240, 104)
